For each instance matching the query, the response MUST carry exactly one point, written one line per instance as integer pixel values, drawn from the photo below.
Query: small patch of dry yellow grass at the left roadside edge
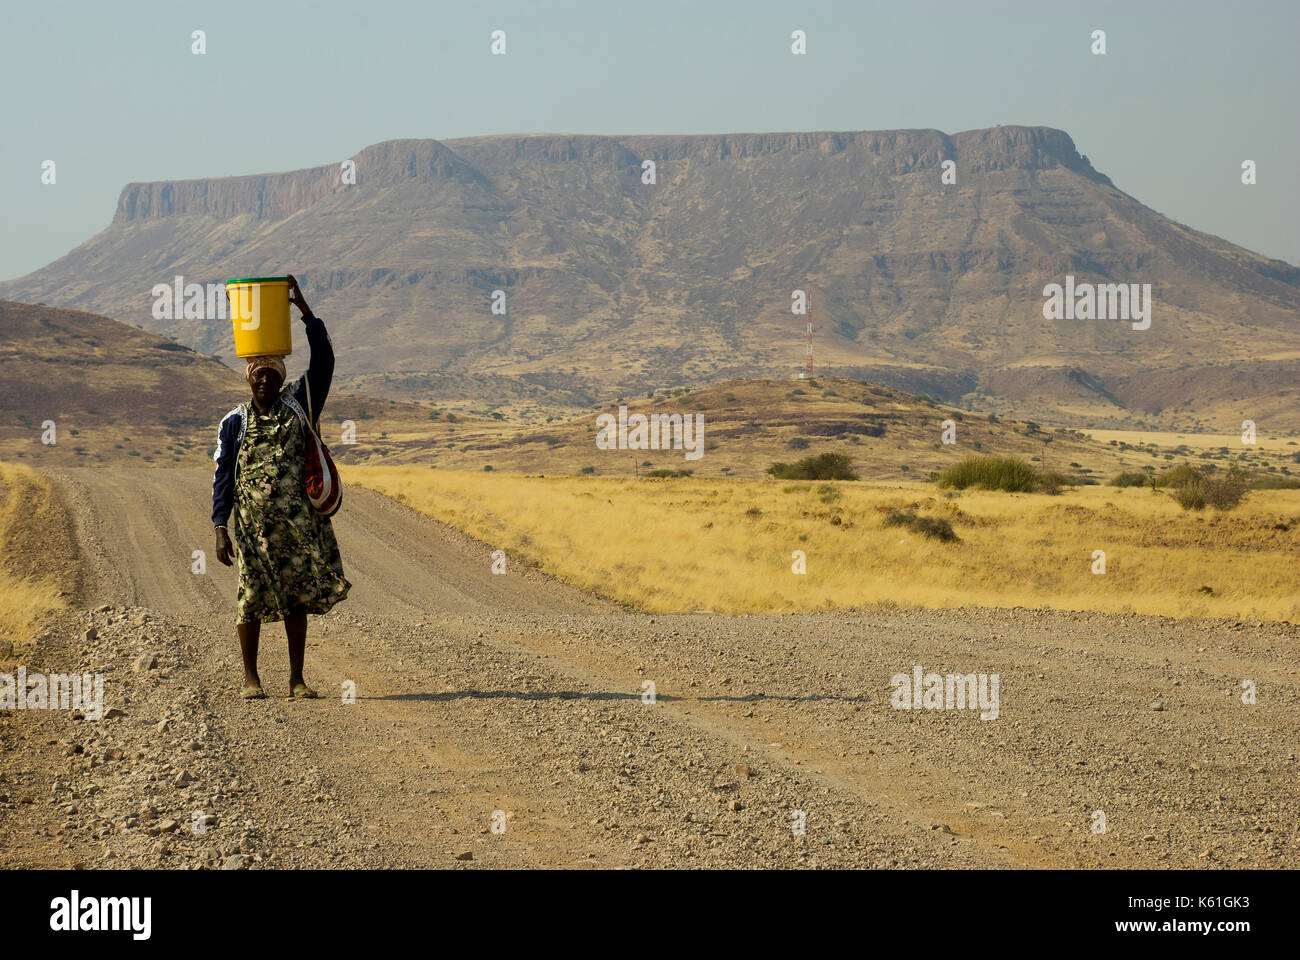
(25, 602)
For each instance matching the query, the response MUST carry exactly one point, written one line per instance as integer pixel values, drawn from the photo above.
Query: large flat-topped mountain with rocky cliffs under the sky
(616, 287)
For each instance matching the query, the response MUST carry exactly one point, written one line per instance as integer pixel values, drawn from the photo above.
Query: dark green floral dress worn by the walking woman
(288, 553)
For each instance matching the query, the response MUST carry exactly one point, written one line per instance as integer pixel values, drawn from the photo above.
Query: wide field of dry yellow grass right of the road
(726, 544)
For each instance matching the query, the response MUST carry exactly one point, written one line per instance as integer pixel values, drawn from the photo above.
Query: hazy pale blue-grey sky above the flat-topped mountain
(114, 94)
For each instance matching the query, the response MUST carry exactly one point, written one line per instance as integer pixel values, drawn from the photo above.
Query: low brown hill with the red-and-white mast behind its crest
(749, 425)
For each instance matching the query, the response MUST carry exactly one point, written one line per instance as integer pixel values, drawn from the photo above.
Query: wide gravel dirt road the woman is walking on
(502, 721)
